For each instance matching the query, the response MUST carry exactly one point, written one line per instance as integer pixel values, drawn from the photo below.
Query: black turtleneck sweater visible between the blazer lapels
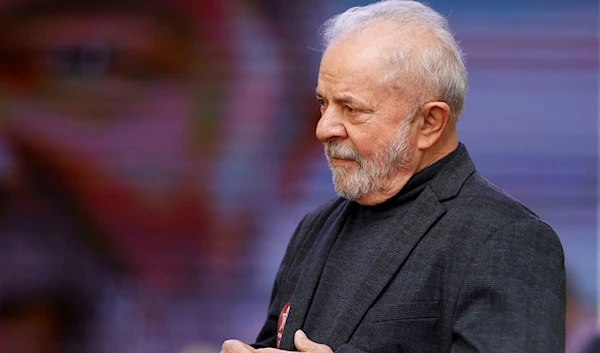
(361, 238)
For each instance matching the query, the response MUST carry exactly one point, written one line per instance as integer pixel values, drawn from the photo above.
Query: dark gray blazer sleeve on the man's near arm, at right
(513, 298)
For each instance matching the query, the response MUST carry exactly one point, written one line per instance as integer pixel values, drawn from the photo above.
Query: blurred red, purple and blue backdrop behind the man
(156, 156)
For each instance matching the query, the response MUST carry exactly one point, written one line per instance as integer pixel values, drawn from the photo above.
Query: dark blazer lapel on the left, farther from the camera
(311, 273)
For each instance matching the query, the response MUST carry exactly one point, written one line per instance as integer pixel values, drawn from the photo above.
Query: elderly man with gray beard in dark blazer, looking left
(420, 253)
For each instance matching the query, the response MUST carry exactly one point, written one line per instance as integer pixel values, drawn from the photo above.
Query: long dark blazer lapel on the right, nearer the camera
(403, 235)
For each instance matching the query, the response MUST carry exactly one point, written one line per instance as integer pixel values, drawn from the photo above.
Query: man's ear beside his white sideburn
(436, 116)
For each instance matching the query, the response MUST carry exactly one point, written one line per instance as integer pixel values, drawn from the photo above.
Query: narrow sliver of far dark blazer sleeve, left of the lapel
(268, 334)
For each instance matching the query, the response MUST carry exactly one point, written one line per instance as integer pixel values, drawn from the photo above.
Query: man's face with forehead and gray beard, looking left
(364, 126)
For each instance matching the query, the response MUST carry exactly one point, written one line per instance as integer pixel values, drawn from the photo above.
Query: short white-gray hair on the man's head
(438, 68)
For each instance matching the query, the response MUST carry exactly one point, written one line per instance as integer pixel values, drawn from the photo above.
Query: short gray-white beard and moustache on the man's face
(372, 174)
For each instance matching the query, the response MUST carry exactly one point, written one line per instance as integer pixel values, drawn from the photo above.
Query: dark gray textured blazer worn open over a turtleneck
(467, 269)
